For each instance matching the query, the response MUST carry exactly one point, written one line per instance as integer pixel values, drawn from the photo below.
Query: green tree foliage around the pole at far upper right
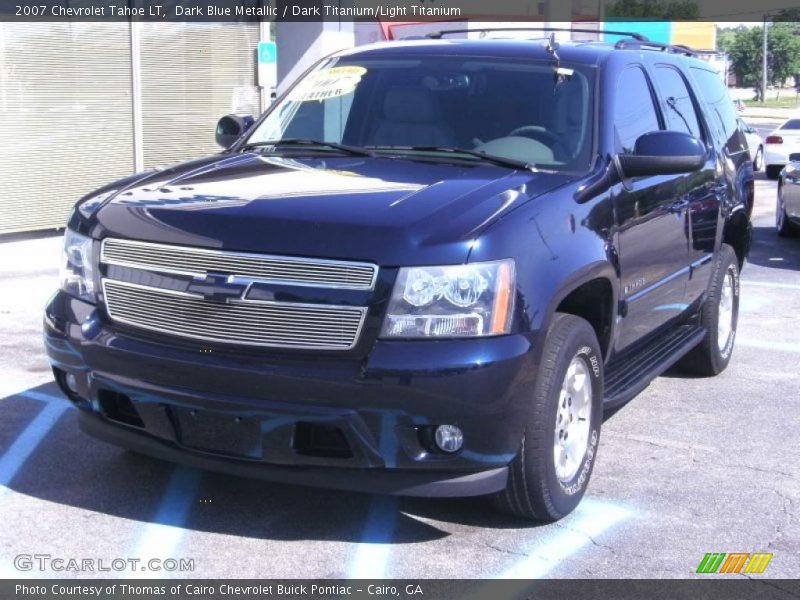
(745, 49)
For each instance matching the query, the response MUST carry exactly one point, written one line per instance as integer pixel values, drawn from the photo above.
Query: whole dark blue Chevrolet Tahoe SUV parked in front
(428, 269)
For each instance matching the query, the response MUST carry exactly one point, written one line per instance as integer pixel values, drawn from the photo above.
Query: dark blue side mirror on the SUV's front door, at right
(663, 153)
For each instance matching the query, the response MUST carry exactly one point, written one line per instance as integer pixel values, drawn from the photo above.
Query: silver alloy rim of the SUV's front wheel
(572, 420)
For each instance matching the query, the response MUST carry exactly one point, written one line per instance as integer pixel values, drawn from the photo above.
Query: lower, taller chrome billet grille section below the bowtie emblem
(253, 323)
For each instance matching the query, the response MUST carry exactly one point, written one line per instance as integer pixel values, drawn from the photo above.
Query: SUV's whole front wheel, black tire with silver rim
(537, 489)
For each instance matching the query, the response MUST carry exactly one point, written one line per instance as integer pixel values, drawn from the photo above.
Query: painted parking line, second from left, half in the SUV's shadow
(161, 538)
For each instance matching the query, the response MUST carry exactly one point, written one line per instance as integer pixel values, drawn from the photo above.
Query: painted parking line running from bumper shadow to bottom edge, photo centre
(373, 552)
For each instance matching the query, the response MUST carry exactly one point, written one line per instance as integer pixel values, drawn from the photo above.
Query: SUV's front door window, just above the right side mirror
(634, 110)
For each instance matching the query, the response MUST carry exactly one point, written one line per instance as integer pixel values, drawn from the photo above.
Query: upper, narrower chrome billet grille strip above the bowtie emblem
(198, 262)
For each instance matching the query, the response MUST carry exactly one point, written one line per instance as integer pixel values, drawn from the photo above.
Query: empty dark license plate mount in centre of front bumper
(219, 433)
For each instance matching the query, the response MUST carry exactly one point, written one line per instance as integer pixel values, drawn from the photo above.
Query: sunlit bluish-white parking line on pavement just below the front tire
(591, 518)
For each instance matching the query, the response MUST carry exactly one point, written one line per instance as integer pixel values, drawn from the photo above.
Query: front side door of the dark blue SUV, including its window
(653, 236)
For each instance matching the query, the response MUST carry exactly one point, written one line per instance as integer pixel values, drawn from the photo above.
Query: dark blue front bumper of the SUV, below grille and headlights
(249, 414)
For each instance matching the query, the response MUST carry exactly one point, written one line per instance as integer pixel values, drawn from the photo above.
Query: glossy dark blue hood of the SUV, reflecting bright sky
(382, 210)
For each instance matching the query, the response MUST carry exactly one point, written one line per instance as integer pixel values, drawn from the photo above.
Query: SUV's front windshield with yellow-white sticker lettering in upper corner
(520, 110)
